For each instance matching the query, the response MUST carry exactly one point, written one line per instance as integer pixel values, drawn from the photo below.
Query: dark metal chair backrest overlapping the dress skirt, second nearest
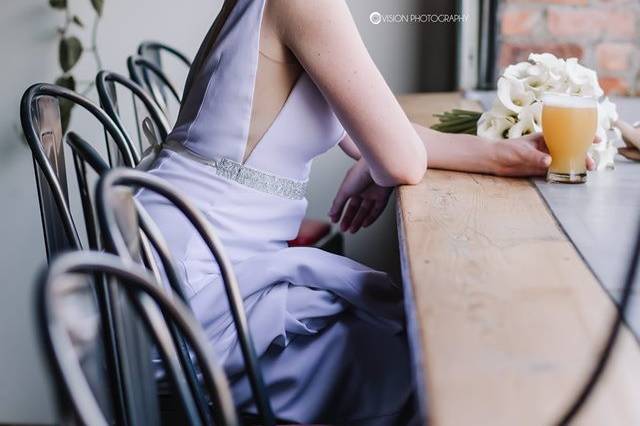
(115, 241)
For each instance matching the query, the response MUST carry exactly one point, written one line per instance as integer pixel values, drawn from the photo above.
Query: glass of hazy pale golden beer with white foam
(569, 126)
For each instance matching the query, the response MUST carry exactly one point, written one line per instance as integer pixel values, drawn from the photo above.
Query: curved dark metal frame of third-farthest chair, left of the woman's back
(105, 80)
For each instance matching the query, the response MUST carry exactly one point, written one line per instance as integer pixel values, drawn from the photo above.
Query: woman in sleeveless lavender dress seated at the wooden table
(274, 84)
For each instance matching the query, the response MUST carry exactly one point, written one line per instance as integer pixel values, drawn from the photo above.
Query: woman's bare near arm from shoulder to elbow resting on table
(324, 38)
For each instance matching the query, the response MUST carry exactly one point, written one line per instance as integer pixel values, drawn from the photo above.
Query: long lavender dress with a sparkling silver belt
(328, 331)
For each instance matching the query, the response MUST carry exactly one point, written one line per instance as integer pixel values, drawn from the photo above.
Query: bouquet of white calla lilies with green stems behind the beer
(517, 108)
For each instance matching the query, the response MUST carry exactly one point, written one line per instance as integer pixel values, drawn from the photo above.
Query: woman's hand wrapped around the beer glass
(525, 156)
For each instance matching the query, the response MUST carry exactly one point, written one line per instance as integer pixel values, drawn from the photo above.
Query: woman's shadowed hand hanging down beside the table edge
(366, 200)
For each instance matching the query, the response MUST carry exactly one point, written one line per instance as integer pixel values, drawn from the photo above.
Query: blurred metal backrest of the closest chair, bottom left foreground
(69, 326)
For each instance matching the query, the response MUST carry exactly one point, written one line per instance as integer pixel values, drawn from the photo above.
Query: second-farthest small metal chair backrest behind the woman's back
(151, 76)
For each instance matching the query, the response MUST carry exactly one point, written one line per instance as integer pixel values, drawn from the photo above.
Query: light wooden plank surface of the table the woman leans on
(505, 318)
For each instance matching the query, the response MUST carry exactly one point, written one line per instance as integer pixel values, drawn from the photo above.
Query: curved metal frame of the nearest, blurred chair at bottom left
(136, 281)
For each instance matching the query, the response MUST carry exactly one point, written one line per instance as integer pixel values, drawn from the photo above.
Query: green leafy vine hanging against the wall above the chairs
(71, 49)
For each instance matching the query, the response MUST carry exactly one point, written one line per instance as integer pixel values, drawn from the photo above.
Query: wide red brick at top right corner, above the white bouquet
(590, 22)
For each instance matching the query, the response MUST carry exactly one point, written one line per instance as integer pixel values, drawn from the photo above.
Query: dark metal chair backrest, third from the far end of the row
(152, 126)
